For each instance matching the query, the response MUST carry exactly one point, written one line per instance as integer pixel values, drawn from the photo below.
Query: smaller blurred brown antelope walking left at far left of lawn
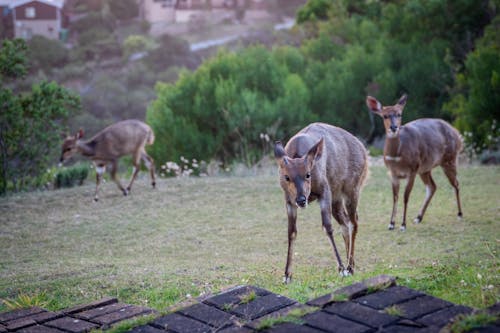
(128, 137)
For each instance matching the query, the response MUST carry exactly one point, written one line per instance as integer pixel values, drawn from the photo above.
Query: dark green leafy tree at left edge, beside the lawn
(30, 123)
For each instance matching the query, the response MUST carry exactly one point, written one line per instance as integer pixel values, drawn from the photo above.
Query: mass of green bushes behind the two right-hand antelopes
(444, 54)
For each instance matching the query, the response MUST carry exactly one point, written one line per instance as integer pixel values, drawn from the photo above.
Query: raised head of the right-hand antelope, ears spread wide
(390, 114)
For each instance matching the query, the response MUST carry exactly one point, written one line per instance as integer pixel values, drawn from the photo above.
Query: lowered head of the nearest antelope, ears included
(296, 173)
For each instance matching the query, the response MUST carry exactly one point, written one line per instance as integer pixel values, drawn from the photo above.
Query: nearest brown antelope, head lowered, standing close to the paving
(329, 164)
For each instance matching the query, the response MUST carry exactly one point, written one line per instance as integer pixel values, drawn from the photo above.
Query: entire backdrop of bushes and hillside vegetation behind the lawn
(230, 104)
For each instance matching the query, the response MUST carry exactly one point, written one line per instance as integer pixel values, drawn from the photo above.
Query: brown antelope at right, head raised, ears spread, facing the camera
(417, 148)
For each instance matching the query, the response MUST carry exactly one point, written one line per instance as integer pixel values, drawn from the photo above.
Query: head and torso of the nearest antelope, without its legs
(318, 157)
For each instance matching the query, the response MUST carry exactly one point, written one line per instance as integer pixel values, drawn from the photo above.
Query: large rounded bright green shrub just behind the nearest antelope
(221, 110)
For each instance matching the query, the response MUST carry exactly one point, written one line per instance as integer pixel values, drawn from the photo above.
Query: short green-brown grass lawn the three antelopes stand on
(196, 236)
